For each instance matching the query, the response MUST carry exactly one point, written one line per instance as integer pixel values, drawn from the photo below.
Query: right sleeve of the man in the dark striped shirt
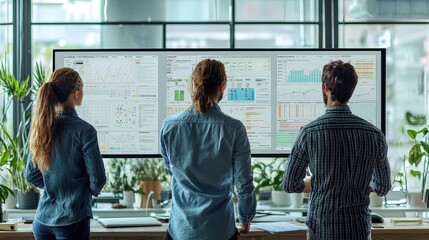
(380, 182)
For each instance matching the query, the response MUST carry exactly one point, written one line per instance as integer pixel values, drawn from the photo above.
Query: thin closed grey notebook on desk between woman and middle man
(129, 222)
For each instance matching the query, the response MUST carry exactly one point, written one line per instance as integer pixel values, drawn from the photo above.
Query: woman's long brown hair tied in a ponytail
(51, 96)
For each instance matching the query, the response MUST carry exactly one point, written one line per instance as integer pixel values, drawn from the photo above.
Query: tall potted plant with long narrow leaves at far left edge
(16, 147)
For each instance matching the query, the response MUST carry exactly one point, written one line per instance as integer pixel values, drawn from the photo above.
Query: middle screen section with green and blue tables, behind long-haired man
(247, 95)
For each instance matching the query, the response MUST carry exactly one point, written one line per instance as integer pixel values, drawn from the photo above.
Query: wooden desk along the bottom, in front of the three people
(98, 232)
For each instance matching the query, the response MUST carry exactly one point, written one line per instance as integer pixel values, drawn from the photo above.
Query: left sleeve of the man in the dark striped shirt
(293, 179)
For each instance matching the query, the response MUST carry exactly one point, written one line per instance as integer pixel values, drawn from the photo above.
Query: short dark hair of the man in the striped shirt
(341, 79)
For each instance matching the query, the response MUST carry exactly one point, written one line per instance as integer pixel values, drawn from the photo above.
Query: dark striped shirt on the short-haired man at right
(346, 156)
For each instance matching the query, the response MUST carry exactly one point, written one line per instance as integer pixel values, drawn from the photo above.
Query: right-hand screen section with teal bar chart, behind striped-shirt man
(299, 92)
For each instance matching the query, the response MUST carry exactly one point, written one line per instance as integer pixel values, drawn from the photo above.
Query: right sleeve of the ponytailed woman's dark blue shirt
(93, 161)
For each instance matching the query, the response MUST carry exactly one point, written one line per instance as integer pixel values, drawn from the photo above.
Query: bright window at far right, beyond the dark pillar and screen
(406, 41)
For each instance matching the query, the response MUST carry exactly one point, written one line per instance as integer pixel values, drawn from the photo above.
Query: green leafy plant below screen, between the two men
(269, 174)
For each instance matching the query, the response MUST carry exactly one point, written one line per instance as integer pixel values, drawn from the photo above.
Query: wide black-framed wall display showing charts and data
(128, 93)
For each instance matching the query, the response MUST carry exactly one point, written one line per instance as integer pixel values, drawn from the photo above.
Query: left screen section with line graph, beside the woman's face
(120, 100)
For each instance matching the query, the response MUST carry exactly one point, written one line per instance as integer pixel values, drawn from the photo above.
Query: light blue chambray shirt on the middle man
(205, 153)
